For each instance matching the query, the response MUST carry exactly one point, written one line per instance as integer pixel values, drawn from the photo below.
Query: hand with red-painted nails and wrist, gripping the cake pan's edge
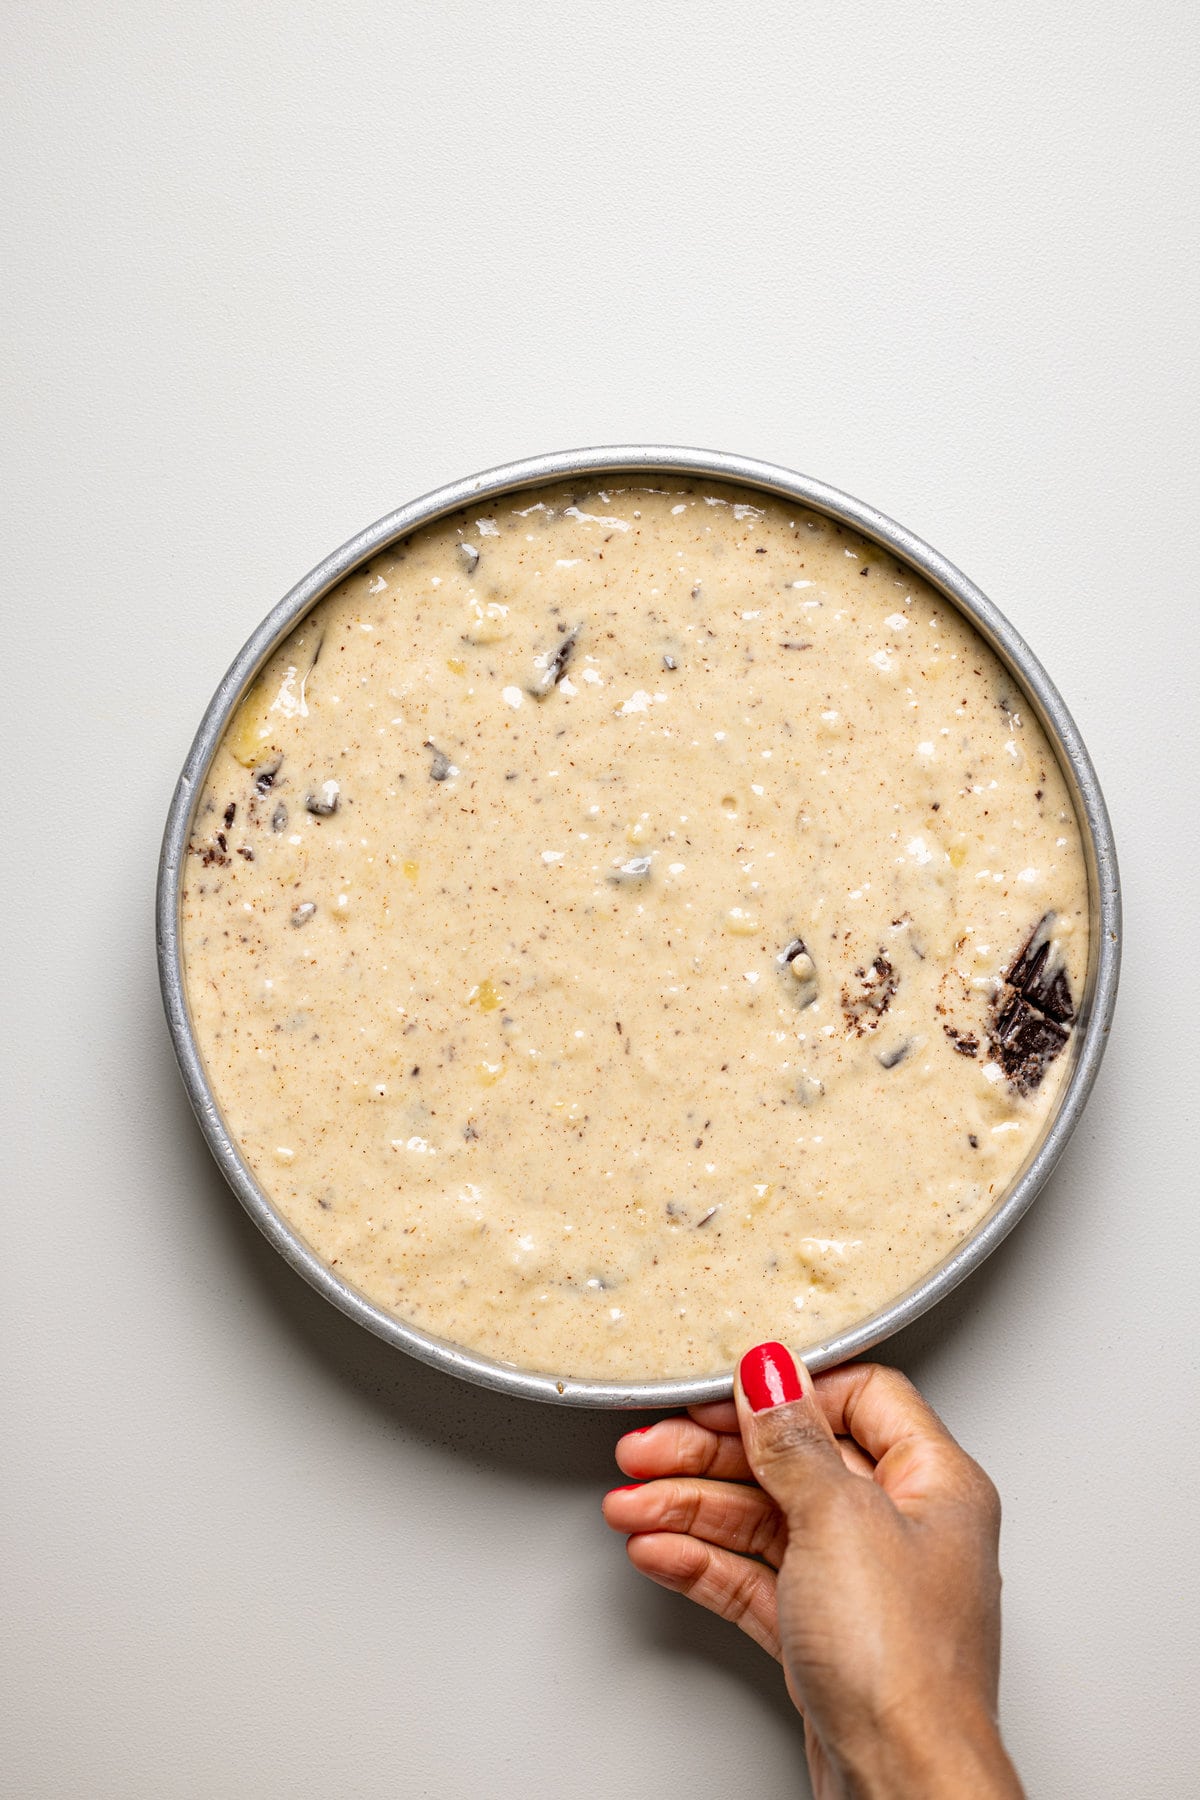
(839, 1524)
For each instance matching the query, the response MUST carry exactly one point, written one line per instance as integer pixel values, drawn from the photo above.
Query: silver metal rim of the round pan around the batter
(618, 463)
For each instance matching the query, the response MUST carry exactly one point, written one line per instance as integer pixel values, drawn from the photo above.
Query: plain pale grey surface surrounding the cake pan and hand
(273, 271)
